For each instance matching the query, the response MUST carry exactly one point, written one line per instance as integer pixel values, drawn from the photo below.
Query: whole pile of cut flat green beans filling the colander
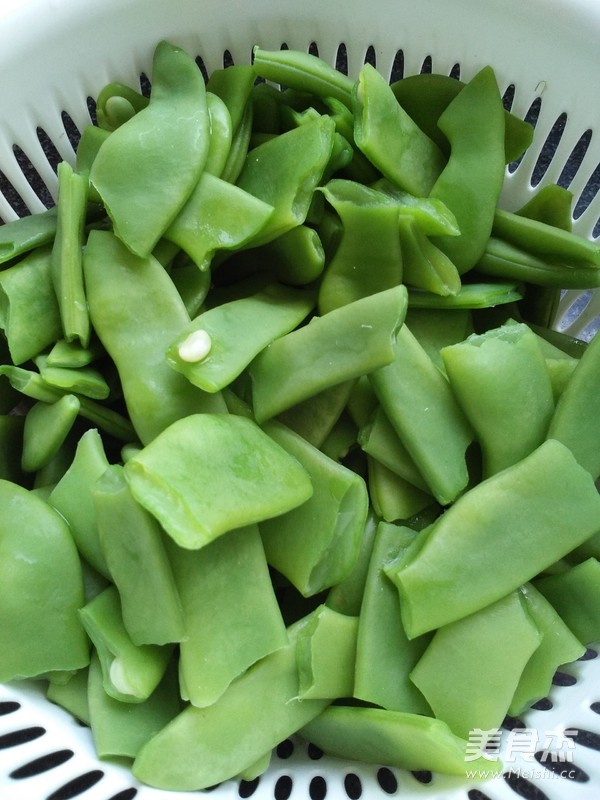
(287, 443)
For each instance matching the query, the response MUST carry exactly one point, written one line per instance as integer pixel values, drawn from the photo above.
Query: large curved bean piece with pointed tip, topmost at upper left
(159, 153)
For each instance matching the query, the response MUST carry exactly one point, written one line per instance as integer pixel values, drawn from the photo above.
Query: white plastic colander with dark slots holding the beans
(55, 56)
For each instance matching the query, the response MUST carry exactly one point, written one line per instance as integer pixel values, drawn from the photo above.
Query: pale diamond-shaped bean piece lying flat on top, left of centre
(190, 503)
